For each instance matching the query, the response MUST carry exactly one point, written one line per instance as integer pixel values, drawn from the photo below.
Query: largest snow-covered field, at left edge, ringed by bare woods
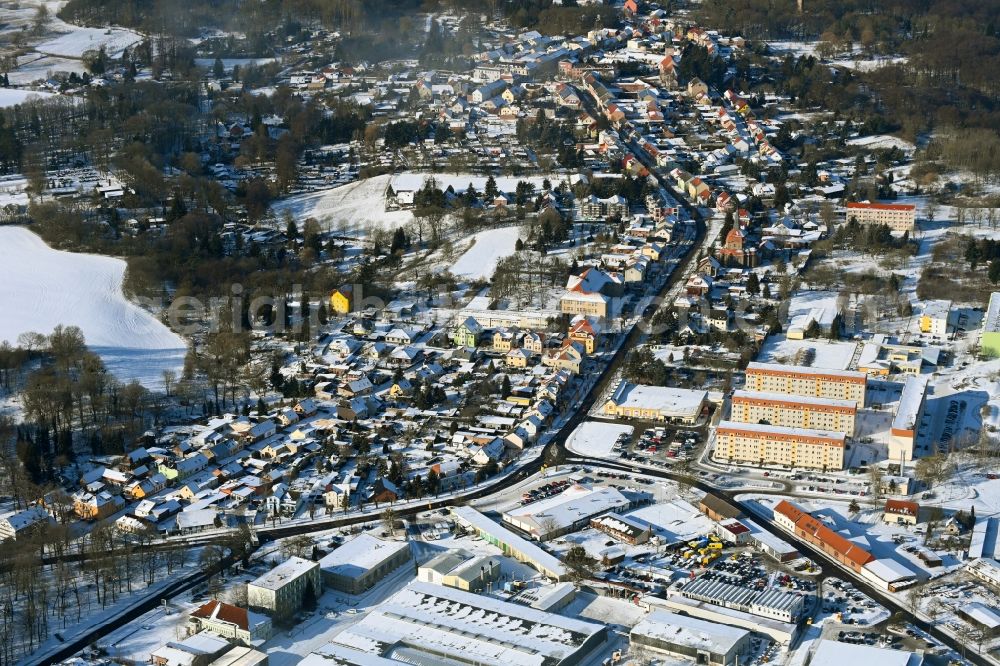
(41, 288)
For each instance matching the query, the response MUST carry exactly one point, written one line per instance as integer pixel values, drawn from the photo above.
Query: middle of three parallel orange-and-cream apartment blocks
(795, 411)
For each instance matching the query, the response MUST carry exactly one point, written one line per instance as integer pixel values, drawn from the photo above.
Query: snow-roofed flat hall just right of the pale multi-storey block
(362, 562)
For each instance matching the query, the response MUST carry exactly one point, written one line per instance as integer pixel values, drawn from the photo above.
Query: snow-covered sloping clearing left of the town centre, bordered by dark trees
(352, 209)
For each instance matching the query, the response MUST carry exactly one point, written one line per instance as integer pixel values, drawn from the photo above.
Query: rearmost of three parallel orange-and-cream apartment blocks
(806, 381)
